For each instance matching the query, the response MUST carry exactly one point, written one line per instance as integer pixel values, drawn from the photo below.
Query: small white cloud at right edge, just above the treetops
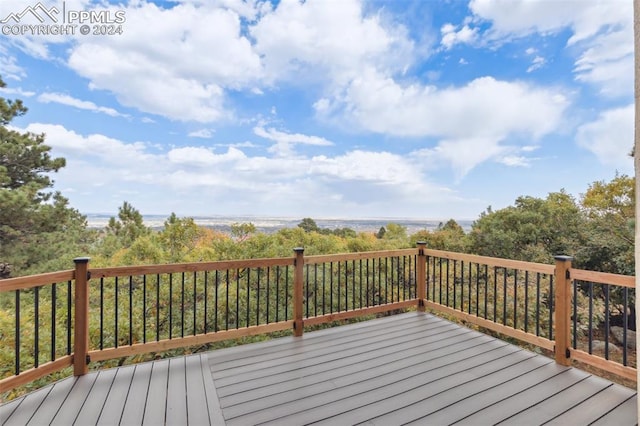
(610, 138)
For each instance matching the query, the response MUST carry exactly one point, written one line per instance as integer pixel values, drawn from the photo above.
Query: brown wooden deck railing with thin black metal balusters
(81, 316)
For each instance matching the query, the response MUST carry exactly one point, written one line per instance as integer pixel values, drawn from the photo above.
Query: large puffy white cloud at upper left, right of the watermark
(198, 52)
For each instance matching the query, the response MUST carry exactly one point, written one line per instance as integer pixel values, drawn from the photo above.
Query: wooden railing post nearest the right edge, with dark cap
(563, 310)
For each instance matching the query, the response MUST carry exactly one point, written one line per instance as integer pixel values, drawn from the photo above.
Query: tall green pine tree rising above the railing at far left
(37, 225)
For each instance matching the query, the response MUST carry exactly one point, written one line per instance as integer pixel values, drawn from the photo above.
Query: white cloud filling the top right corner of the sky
(602, 33)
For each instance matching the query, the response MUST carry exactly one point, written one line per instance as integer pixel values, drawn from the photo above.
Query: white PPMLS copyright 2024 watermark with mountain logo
(39, 20)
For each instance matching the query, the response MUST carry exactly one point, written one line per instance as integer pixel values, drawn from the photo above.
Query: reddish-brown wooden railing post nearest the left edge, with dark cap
(81, 317)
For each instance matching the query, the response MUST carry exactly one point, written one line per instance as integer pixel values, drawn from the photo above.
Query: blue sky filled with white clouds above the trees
(323, 108)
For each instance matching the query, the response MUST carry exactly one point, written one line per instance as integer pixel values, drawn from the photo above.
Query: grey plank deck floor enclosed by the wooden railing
(410, 368)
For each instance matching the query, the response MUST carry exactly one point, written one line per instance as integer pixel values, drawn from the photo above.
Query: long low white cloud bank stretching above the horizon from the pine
(192, 179)
